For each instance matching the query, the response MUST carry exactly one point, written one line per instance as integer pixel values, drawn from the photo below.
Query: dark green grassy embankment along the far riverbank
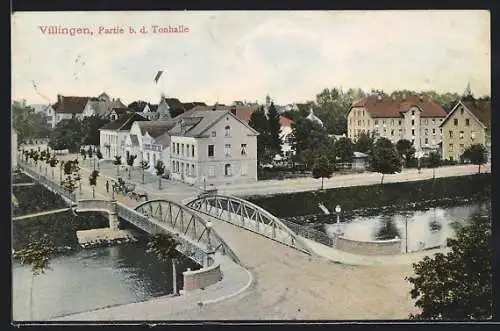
(474, 187)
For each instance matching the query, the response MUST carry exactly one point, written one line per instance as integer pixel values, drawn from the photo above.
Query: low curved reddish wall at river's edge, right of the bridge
(379, 247)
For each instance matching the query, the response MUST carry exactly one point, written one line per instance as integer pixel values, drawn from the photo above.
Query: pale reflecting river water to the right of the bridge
(427, 228)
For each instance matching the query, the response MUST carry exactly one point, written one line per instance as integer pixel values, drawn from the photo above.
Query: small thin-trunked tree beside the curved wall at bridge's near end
(164, 247)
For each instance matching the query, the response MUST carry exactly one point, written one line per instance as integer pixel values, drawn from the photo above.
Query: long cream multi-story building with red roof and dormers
(416, 118)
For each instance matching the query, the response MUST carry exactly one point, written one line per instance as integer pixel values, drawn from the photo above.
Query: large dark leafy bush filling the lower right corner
(458, 285)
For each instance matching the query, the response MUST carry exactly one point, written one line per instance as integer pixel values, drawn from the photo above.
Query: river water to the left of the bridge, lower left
(86, 280)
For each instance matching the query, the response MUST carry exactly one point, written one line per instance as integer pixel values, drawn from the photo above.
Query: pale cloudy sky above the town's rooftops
(232, 55)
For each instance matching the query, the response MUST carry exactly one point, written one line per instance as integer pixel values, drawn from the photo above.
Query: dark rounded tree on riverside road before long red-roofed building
(384, 158)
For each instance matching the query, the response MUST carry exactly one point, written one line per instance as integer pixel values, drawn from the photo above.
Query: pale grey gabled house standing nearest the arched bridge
(213, 147)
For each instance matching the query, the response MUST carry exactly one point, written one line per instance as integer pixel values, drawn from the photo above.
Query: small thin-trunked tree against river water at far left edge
(37, 254)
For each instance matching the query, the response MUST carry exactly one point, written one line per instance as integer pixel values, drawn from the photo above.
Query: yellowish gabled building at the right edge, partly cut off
(468, 123)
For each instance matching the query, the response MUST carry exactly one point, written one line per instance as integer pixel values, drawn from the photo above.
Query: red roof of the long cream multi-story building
(389, 107)
